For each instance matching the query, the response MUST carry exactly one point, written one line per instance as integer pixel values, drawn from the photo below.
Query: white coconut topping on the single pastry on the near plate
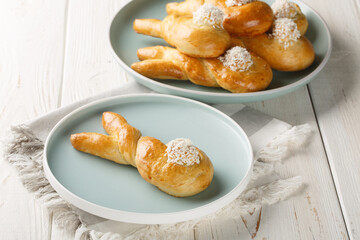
(182, 151)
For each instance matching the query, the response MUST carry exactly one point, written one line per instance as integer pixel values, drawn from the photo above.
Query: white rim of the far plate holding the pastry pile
(267, 94)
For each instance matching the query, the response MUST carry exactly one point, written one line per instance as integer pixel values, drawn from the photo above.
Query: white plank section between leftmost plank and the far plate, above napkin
(89, 66)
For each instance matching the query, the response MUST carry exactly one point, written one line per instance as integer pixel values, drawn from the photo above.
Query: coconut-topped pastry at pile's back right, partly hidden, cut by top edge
(287, 9)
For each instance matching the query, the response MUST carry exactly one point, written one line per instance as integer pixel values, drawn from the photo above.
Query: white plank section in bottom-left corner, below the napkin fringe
(22, 216)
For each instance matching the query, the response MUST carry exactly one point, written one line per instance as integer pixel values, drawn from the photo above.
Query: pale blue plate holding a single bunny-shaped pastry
(118, 192)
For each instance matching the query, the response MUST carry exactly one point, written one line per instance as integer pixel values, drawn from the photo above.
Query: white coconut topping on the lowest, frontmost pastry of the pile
(238, 59)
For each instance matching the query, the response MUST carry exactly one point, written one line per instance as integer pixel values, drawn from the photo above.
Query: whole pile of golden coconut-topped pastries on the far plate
(232, 44)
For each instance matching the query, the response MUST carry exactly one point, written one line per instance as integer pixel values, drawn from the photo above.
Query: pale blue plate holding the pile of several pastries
(125, 42)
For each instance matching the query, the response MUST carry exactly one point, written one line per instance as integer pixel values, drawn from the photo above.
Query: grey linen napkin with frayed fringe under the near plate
(271, 140)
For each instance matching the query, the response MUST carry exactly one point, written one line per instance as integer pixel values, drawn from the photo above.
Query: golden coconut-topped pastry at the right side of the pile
(284, 48)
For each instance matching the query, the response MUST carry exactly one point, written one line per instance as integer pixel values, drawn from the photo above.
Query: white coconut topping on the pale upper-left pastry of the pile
(210, 15)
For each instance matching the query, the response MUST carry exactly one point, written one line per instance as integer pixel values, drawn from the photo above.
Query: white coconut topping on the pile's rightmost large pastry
(285, 31)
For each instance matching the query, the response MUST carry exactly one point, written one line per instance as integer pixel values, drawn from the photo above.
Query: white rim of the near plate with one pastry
(147, 218)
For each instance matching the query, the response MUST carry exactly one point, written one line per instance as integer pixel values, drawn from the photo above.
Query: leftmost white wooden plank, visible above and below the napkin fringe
(31, 58)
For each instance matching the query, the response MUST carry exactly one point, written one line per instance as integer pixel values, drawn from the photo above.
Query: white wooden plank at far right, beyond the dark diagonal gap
(336, 97)
